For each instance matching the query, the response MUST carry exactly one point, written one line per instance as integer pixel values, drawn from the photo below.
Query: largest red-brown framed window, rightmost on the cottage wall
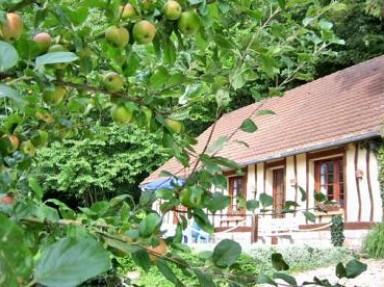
(329, 177)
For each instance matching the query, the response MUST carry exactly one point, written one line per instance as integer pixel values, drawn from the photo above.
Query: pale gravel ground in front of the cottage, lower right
(373, 277)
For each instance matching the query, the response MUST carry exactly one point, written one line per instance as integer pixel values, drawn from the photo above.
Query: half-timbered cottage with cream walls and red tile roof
(323, 138)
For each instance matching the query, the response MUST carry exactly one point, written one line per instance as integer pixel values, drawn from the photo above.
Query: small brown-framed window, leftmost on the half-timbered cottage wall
(236, 190)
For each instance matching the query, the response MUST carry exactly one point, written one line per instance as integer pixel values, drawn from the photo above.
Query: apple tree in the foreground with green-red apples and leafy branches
(67, 67)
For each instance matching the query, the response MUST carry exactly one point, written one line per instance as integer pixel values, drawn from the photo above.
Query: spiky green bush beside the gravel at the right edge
(373, 244)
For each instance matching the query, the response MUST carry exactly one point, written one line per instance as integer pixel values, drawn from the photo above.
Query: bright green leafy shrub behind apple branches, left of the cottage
(111, 161)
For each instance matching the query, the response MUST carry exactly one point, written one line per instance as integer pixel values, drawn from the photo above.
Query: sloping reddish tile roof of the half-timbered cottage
(336, 109)
